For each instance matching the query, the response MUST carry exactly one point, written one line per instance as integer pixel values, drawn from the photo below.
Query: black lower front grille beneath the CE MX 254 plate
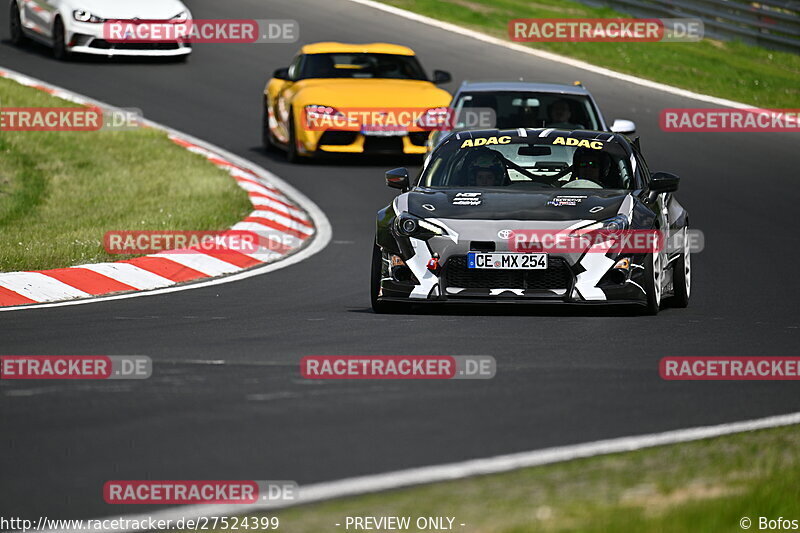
(557, 275)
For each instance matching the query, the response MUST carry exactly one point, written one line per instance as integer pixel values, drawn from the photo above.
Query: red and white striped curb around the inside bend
(292, 225)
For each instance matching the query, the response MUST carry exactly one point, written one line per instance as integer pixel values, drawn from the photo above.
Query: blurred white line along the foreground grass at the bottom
(399, 479)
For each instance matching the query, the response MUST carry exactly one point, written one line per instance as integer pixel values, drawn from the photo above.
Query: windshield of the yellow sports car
(351, 65)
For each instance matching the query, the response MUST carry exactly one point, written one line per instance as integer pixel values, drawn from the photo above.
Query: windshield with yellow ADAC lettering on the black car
(520, 163)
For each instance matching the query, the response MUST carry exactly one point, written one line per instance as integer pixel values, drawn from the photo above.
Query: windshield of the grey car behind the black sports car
(533, 109)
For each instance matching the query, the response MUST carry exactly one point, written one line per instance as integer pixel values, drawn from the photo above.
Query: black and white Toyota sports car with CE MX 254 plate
(532, 215)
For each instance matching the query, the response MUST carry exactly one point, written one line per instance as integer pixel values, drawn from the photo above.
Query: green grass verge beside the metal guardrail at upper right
(730, 70)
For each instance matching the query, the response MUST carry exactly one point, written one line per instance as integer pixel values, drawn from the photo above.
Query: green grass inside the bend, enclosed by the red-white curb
(61, 191)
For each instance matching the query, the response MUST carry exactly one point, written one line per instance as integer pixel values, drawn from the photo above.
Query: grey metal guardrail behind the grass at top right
(772, 24)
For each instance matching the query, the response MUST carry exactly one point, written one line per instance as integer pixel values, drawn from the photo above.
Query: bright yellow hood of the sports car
(359, 93)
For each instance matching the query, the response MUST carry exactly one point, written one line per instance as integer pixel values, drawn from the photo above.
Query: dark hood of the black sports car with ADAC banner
(489, 204)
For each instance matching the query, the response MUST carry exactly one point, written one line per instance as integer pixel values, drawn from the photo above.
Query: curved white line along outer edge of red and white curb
(321, 239)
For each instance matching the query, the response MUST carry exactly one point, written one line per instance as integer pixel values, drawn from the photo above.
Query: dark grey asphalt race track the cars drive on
(564, 376)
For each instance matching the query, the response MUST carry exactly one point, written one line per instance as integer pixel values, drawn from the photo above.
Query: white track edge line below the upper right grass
(549, 56)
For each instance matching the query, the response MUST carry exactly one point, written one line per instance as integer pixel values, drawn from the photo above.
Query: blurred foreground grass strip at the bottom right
(705, 486)
